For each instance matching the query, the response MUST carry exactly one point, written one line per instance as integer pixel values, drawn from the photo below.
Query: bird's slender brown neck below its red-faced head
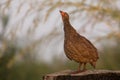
(68, 29)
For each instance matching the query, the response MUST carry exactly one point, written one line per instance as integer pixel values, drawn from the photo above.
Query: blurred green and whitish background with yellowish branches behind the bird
(31, 35)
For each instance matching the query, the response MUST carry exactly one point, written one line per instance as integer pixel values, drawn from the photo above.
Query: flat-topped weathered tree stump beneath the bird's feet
(87, 75)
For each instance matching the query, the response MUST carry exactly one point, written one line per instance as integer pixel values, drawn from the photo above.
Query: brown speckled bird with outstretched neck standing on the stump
(77, 47)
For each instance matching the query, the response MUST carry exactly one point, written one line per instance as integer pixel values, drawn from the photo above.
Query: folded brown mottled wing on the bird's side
(85, 48)
